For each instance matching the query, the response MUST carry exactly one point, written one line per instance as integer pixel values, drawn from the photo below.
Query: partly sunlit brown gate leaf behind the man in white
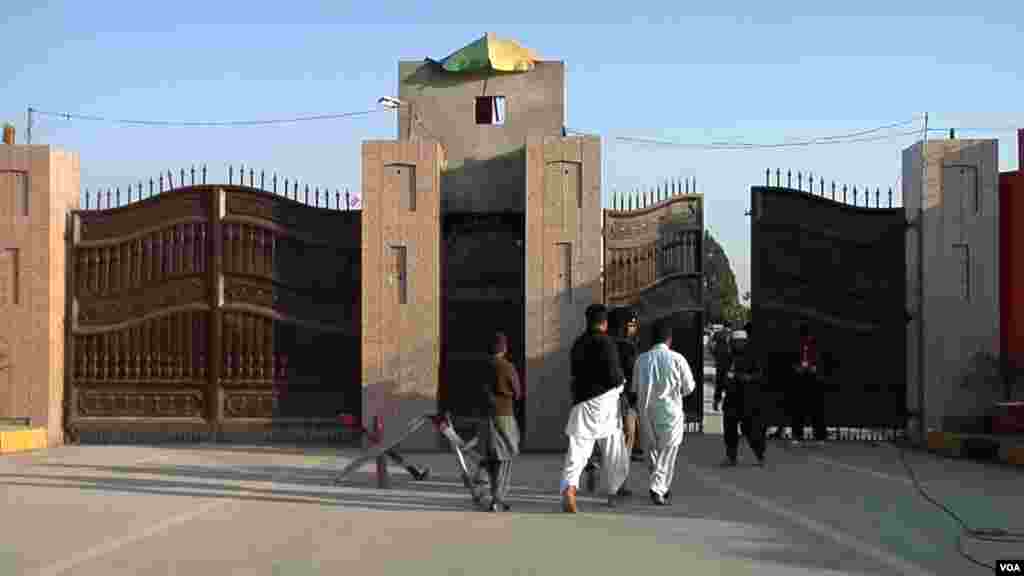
(653, 264)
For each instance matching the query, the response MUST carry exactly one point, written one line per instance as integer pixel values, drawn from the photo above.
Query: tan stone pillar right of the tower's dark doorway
(564, 259)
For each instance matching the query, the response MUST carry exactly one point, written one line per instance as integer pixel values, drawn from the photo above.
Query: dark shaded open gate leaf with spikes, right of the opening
(840, 269)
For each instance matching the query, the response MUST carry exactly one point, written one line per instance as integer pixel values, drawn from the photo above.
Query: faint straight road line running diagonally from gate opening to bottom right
(813, 525)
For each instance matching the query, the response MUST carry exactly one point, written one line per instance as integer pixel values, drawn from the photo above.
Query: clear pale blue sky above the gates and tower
(752, 72)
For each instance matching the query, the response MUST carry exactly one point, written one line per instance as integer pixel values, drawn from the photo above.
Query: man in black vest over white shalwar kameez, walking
(598, 385)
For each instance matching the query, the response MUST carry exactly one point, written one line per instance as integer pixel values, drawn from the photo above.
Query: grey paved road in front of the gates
(216, 510)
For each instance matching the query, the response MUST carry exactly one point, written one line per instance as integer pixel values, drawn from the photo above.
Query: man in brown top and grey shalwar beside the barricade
(499, 433)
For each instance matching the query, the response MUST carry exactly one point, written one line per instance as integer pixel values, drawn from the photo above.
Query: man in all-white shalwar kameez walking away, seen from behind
(663, 379)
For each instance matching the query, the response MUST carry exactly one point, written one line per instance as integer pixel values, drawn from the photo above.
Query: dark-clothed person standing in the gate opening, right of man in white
(743, 403)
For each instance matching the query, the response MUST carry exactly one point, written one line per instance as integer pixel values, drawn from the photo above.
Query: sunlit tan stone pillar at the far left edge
(38, 188)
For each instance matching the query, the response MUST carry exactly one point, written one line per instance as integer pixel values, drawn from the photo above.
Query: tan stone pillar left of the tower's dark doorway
(401, 291)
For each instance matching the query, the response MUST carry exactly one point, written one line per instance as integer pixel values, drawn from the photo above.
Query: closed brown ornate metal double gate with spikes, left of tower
(212, 312)
